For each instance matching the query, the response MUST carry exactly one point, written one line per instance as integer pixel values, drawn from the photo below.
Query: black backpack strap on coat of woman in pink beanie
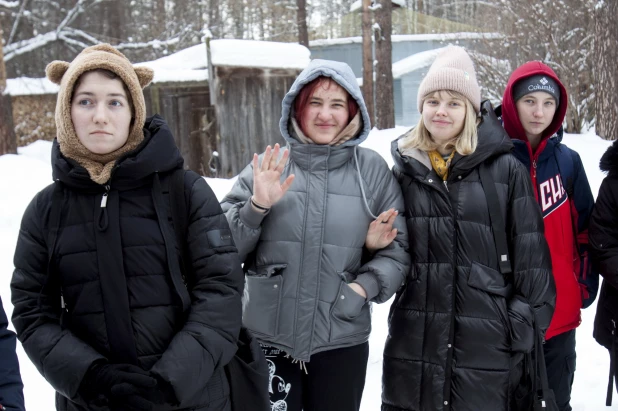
(498, 227)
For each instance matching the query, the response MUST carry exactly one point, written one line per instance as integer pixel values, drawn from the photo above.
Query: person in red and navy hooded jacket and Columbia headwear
(533, 109)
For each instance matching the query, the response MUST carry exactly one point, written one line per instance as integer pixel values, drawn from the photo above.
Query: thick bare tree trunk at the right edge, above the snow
(606, 73)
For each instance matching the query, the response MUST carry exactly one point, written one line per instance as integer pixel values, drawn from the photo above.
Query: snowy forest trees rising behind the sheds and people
(566, 34)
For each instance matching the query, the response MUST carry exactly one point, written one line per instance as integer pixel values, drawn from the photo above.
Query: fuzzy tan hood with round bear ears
(101, 56)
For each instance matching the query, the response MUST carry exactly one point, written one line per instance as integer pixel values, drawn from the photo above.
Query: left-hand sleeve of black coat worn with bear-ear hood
(58, 354)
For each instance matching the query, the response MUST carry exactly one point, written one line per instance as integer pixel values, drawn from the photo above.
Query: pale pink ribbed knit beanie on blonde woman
(452, 70)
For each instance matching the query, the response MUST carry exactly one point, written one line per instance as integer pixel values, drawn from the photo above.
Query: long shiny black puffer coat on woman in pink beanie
(453, 325)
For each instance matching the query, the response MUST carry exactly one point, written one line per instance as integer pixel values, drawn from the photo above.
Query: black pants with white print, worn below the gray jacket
(334, 380)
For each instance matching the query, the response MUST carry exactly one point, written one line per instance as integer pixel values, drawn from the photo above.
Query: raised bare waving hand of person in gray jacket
(267, 186)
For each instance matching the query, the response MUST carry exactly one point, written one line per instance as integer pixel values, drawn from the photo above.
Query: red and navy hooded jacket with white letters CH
(563, 193)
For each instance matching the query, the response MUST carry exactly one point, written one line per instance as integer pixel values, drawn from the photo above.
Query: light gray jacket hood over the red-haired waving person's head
(344, 76)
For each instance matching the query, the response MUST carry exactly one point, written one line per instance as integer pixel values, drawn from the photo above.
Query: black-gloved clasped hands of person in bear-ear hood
(126, 387)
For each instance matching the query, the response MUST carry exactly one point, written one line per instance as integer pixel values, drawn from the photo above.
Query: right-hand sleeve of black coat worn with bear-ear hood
(208, 339)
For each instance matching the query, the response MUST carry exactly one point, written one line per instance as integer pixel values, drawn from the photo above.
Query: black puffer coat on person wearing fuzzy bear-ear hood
(112, 265)
